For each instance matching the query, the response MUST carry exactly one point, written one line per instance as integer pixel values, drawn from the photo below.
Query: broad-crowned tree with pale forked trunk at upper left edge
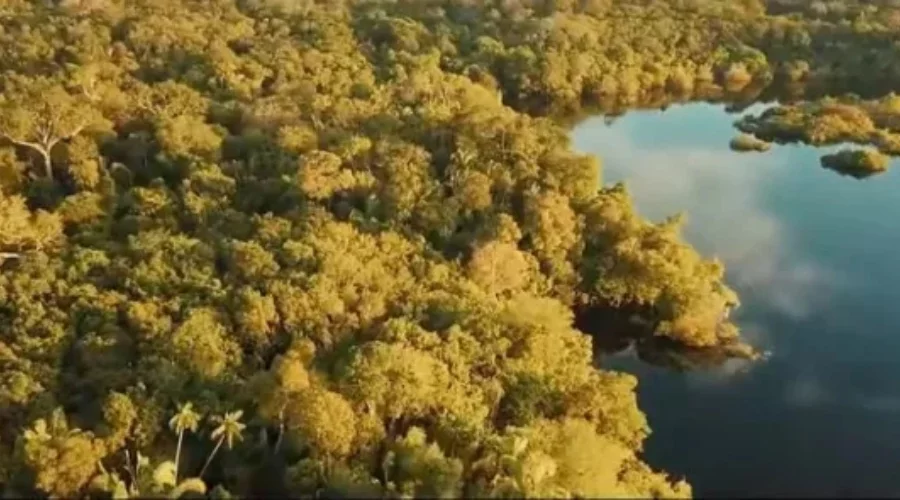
(38, 113)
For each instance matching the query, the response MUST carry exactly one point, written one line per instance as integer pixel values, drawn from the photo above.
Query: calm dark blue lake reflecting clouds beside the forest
(816, 259)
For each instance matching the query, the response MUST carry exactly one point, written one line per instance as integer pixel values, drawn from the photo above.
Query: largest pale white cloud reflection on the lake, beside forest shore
(722, 193)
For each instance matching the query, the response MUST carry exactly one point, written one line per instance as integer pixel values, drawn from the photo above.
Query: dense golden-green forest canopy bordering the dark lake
(341, 247)
